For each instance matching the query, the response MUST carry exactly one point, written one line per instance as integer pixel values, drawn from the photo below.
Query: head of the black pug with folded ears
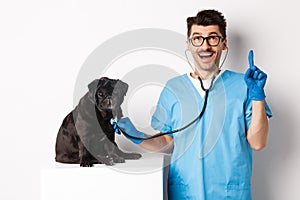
(107, 94)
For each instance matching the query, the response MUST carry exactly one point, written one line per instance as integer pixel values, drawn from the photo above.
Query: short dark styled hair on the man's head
(206, 18)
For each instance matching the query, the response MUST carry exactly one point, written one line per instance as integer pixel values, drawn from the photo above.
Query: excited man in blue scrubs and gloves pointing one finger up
(211, 159)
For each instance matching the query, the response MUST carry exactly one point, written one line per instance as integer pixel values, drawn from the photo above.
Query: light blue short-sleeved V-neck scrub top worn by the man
(212, 159)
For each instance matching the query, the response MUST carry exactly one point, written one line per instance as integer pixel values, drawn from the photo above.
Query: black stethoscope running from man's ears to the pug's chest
(117, 128)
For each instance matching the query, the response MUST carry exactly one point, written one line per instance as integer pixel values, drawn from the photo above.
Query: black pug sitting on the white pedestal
(86, 136)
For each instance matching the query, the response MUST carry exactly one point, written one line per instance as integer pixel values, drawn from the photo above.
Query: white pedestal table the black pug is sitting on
(135, 179)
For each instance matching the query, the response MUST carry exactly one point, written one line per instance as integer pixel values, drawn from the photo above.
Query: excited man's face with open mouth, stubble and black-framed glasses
(206, 57)
